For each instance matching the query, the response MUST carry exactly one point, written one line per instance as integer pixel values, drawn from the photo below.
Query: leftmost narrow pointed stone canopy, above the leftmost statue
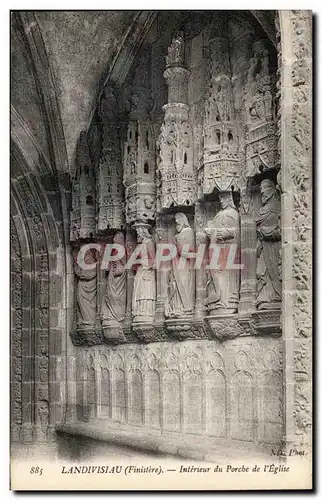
(82, 216)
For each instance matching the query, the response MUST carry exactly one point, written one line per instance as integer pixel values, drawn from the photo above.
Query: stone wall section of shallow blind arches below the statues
(231, 390)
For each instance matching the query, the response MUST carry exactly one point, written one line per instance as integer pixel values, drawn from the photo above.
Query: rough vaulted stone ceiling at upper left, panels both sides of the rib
(80, 48)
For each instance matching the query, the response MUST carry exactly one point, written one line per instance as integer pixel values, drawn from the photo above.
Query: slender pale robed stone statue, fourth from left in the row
(181, 290)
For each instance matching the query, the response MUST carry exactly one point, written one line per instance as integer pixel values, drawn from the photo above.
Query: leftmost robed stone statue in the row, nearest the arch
(86, 293)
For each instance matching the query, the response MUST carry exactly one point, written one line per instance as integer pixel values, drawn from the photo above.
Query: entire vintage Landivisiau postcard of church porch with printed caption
(161, 250)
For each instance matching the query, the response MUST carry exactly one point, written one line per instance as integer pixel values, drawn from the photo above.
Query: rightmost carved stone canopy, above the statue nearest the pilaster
(260, 128)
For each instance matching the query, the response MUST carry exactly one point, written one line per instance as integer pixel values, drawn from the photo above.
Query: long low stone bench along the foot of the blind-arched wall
(194, 447)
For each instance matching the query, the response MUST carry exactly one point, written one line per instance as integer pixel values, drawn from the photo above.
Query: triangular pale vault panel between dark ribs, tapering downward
(80, 48)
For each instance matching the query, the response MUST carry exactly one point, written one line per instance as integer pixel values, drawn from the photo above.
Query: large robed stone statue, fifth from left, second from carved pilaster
(223, 282)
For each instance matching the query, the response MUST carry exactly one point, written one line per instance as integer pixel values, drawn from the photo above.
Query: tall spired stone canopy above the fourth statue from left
(177, 184)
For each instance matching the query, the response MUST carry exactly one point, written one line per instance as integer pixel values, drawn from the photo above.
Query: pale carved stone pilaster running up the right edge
(295, 47)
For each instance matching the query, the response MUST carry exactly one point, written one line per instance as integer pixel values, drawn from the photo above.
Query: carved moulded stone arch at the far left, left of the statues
(42, 265)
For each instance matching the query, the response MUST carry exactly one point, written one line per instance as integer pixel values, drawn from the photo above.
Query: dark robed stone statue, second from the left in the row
(114, 300)
